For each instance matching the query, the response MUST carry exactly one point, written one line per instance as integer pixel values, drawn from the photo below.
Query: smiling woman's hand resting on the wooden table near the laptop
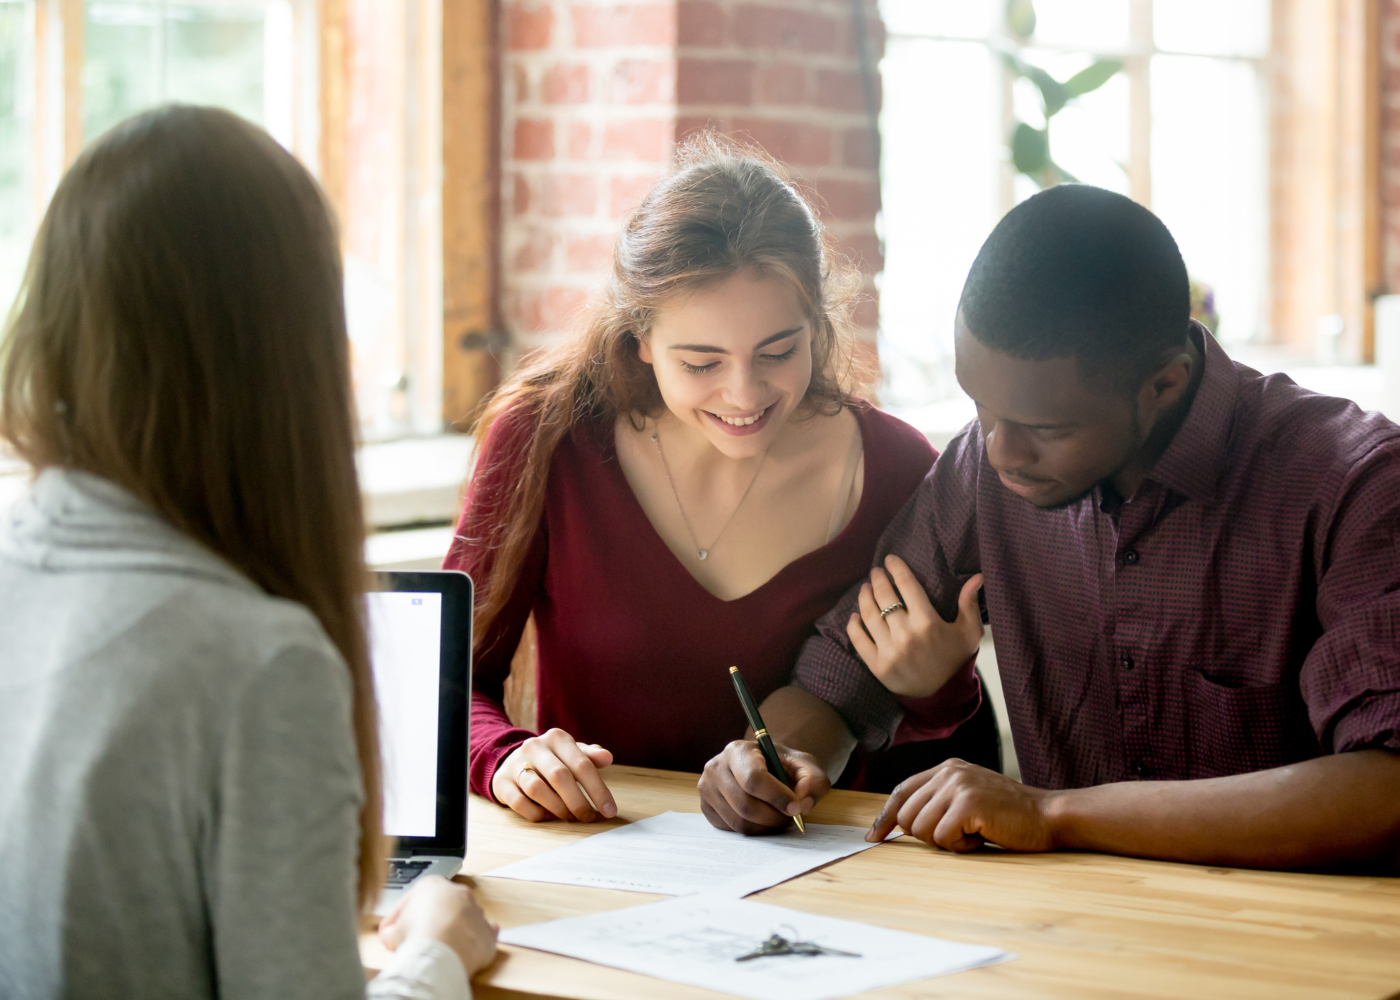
(541, 779)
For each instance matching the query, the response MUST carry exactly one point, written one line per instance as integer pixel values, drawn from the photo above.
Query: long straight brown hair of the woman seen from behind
(181, 333)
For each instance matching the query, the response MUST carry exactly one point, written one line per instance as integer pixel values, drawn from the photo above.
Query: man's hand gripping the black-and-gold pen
(738, 793)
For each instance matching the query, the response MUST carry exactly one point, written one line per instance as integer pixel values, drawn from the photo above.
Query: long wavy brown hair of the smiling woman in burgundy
(723, 211)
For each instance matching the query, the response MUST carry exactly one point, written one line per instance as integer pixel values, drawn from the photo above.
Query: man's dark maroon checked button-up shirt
(1240, 613)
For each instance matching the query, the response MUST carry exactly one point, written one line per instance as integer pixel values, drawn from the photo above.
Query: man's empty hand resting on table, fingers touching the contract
(960, 806)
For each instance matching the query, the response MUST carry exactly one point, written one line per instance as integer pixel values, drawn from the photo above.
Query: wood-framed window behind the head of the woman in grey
(352, 88)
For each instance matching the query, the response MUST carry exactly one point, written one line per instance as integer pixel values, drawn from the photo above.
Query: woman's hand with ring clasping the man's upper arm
(912, 651)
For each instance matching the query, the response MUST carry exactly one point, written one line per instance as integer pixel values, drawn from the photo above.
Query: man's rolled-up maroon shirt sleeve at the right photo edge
(1352, 677)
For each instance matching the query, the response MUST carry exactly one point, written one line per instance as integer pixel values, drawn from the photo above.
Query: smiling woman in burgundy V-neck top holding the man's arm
(685, 485)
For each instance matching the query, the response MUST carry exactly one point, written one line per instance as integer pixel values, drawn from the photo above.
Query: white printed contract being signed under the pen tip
(680, 854)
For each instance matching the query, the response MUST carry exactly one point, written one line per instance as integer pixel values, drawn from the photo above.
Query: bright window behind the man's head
(1192, 86)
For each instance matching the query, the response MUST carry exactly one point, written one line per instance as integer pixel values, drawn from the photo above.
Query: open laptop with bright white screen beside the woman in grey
(421, 648)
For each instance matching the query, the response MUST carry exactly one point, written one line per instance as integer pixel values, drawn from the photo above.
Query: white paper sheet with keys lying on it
(698, 940)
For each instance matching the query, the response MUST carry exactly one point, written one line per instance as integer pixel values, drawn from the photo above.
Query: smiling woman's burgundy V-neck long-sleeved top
(633, 653)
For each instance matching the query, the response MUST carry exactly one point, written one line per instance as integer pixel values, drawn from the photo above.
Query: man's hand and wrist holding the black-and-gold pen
(738, 793)
